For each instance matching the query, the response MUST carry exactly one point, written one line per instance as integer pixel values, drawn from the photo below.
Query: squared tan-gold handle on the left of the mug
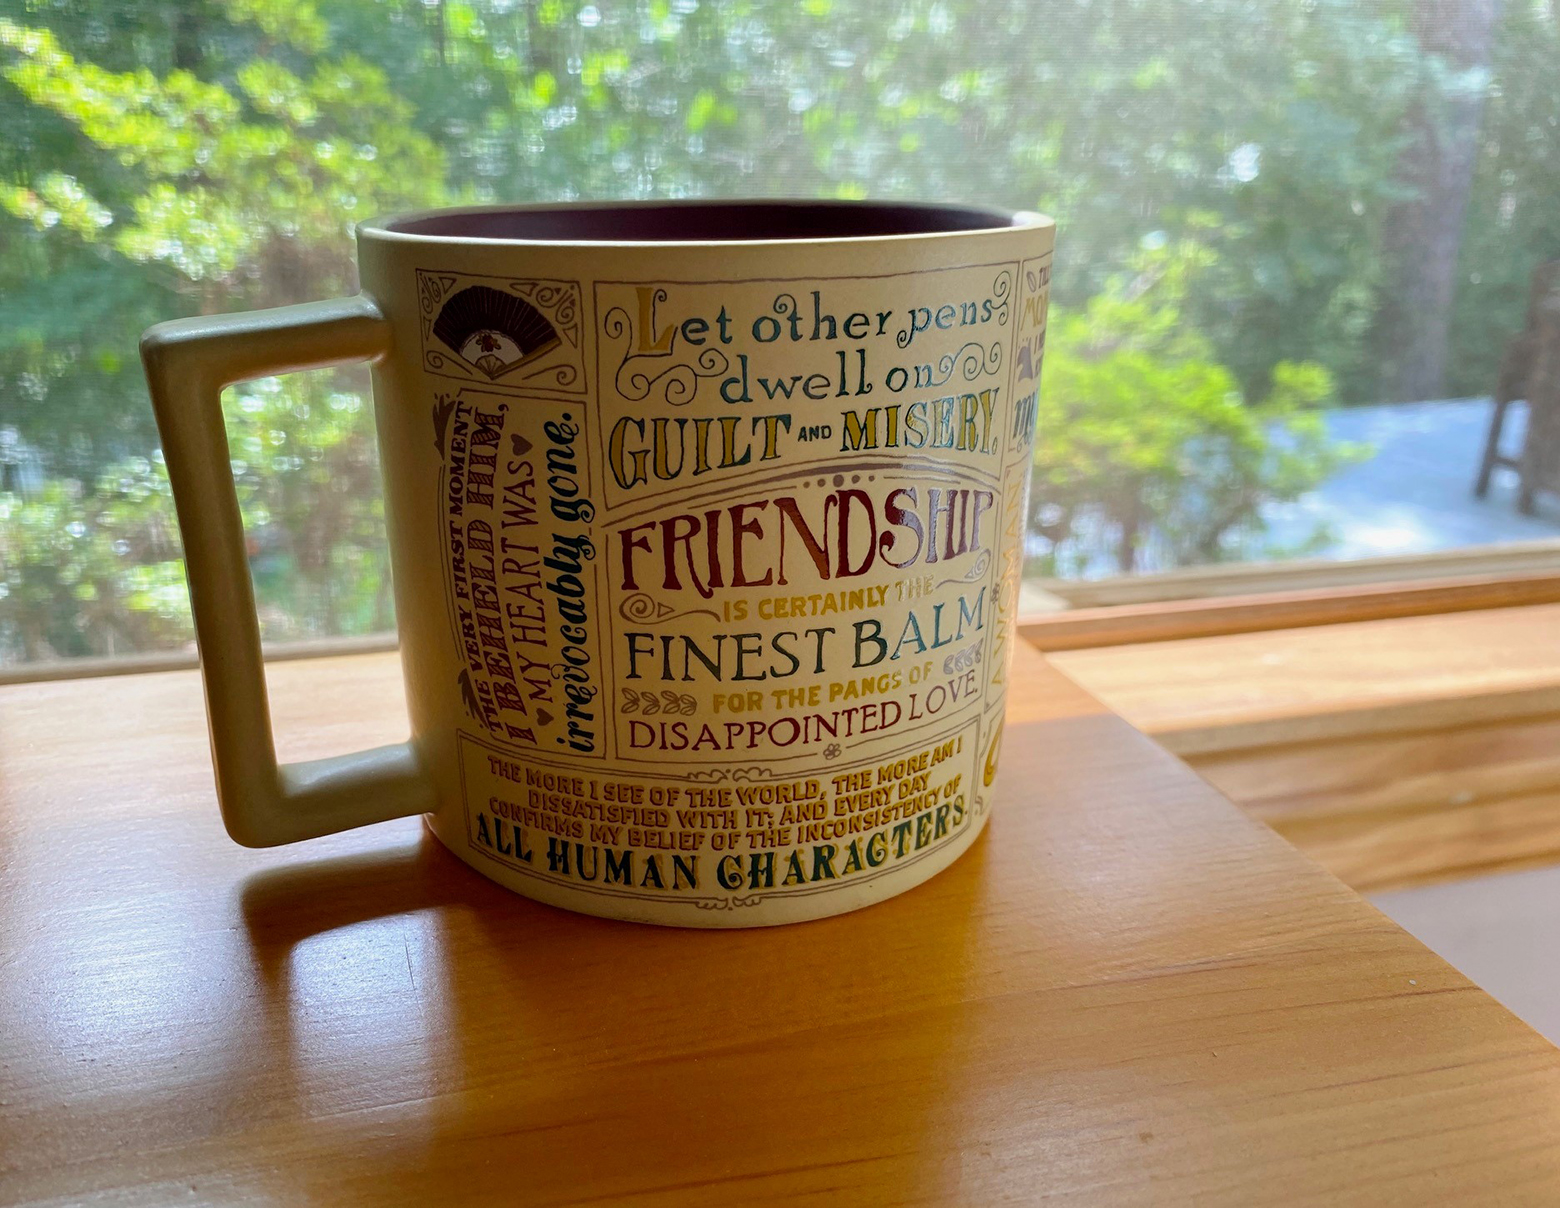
(188, 364)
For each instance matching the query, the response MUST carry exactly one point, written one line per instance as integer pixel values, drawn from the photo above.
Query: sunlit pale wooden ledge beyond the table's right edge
(1394, 753)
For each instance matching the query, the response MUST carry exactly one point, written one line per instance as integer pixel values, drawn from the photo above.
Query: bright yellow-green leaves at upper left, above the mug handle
(219, 180)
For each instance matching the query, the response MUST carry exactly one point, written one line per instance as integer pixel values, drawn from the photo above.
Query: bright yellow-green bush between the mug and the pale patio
(1144, 435)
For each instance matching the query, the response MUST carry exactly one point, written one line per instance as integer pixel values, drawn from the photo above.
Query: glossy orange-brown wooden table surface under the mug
(1126, 993)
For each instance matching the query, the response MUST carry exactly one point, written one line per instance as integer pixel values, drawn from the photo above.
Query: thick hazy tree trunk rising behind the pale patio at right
(1423, 233)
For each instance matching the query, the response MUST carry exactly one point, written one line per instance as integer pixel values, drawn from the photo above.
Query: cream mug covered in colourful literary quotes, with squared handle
(706, 524)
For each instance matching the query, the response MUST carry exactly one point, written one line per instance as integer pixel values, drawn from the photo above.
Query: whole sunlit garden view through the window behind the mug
(1302, 254)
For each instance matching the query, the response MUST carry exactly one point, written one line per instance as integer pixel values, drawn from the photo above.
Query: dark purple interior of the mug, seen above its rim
(706, 221)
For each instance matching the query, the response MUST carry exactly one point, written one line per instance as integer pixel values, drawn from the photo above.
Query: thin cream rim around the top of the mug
(987, 221)
